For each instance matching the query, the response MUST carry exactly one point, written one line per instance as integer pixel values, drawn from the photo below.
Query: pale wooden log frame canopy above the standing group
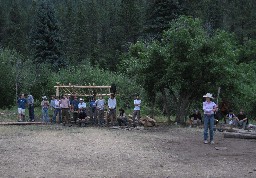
(89, 90)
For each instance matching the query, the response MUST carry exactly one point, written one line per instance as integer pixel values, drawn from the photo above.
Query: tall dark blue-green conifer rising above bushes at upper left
(45, 36)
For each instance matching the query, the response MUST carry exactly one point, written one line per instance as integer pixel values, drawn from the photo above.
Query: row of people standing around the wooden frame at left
(69, 105)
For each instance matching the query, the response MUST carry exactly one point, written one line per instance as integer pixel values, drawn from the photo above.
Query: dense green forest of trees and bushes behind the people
(171, 52)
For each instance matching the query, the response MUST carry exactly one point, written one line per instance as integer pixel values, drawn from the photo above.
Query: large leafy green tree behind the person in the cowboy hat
(187, 61)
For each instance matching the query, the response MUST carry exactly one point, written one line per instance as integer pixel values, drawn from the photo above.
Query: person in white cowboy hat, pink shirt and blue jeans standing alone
(209, 108)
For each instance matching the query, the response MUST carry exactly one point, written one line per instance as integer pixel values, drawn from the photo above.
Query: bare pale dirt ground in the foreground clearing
(57, 151)
